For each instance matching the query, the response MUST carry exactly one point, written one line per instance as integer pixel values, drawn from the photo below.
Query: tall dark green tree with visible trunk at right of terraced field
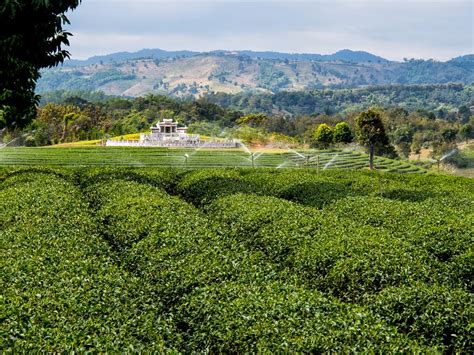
(371, 132)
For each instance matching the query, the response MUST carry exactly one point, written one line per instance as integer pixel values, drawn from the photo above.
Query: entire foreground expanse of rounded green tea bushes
(118, 259)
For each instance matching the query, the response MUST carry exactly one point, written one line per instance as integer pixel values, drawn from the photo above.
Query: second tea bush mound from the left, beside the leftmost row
(167, 242)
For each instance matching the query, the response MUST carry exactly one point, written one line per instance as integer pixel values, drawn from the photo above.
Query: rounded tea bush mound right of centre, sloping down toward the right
(329, 253)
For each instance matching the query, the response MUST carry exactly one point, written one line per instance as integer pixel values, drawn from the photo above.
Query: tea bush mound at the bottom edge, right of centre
(276, 317)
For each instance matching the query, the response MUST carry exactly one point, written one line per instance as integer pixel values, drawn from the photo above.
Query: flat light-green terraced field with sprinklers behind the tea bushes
(163, 157)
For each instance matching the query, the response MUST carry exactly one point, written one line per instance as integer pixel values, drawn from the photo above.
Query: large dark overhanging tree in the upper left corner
(31, 38)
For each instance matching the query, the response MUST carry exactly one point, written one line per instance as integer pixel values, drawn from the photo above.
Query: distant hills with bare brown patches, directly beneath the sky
(185, 74)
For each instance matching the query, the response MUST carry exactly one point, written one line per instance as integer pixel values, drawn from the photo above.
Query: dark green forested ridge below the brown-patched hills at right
(410, 97)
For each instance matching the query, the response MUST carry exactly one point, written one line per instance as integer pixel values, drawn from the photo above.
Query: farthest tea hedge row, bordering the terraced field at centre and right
(308, 188)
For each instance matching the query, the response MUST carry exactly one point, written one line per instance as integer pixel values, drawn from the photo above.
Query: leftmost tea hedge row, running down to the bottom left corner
(61, 290)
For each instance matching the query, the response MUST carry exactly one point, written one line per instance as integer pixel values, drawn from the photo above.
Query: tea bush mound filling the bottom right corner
(429, 313)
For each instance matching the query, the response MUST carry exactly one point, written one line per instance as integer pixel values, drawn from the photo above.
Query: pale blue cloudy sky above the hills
(393, 29)
